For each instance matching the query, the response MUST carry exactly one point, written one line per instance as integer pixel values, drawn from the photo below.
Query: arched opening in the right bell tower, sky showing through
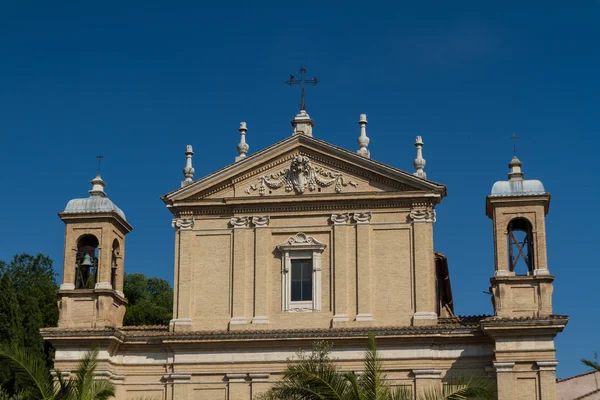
(520, 245)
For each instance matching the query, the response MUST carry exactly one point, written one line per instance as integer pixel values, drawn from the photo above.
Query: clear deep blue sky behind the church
(139, 81)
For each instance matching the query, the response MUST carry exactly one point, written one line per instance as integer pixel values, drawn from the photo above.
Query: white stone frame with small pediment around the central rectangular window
(298, 247)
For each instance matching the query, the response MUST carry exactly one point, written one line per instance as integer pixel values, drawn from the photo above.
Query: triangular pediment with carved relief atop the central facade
(302, 166)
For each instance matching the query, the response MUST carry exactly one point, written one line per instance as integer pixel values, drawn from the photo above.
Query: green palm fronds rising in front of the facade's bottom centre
(316, 377)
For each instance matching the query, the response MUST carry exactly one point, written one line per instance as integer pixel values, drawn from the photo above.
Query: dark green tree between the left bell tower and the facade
(150, 300)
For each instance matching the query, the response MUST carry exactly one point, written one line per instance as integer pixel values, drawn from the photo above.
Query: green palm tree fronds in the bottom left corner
(41, 384)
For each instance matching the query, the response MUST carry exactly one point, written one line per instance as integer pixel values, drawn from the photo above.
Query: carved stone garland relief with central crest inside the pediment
(300, 177)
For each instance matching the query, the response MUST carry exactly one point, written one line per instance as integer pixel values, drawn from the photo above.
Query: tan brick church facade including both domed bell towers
(300, 242)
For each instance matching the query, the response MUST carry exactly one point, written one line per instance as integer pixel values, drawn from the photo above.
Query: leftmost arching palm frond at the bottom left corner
(28, 367)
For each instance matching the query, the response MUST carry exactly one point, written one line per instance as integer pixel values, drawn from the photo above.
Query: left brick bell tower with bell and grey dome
(91, 293)
